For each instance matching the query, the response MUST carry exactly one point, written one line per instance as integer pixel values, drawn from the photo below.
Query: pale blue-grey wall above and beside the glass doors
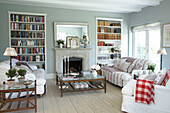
(153, 14)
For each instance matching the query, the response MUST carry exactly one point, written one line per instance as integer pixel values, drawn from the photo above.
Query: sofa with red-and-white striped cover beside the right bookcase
(120, 77)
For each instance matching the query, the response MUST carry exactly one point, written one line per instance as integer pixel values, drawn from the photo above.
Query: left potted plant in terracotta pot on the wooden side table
(10, 74)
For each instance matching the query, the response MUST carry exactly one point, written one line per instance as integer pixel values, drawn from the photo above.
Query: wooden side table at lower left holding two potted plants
(6, 102)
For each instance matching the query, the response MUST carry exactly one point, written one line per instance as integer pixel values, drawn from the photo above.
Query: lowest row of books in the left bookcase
(36, 58)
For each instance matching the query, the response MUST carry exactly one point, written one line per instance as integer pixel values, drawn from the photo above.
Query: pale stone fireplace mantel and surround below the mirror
(83, 53)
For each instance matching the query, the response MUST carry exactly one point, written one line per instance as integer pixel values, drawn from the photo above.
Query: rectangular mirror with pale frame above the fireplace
(63, 30)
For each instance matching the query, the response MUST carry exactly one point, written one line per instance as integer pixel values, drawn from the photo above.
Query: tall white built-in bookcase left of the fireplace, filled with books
(27, 34)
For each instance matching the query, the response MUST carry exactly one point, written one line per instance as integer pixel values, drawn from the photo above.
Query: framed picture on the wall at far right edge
(166, 36)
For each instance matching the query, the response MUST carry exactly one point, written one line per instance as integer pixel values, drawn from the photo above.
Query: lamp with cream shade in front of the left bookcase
(10, 52)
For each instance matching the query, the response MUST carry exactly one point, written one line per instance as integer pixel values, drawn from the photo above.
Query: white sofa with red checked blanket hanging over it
(162, 99)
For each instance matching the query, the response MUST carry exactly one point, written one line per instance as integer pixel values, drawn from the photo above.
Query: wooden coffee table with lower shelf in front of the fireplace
(68, 87)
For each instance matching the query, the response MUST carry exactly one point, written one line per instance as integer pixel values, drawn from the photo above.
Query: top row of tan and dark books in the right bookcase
(107, 23)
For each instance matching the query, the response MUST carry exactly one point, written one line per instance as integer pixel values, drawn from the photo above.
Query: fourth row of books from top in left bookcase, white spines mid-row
(27, 42)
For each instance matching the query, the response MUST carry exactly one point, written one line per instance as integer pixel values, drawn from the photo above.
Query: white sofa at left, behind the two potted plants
(33, 73)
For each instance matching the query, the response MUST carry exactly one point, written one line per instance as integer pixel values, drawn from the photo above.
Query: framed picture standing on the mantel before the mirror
(73, 42)
